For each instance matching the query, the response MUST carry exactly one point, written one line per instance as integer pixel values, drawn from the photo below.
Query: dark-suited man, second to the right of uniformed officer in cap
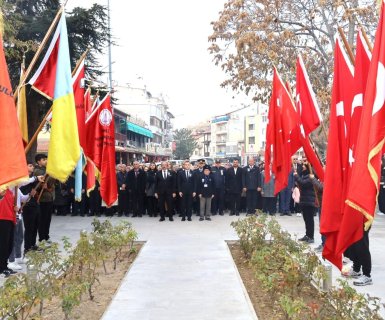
(251, 185)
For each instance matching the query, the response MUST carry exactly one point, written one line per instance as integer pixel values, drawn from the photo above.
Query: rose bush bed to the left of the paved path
(70, 279)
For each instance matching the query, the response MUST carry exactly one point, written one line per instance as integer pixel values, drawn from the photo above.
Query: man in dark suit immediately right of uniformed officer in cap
(234, 176)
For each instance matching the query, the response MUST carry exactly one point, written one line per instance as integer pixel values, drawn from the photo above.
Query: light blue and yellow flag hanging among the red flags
(64, 148)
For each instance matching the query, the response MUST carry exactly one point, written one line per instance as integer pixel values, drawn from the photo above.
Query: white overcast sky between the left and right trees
(165, 43)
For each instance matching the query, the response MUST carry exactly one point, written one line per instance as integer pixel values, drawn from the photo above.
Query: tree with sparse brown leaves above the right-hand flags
(251, 36)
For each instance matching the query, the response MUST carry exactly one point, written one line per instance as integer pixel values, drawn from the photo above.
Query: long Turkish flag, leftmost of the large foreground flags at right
(337, 154)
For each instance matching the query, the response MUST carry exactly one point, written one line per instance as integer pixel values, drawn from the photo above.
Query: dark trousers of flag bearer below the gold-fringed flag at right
(360, 255)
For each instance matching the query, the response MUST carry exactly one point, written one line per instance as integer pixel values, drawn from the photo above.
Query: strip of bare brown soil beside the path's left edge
(103, 292)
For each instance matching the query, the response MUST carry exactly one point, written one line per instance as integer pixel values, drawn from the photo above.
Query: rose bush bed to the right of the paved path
(287, 274)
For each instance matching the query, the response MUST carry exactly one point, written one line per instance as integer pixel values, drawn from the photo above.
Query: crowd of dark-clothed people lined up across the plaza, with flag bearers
(156, 190)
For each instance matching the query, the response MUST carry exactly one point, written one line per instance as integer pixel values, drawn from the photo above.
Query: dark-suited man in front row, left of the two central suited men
(165, 190)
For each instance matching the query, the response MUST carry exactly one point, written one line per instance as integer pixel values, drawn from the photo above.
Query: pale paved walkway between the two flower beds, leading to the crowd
(184, 271)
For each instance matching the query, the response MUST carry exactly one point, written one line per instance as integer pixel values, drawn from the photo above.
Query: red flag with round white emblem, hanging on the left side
(100, 148)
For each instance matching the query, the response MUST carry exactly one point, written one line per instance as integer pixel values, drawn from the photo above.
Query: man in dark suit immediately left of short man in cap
(186, 190)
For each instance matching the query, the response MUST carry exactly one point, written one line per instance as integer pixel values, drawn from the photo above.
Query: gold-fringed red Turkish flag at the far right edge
(365, 176)
